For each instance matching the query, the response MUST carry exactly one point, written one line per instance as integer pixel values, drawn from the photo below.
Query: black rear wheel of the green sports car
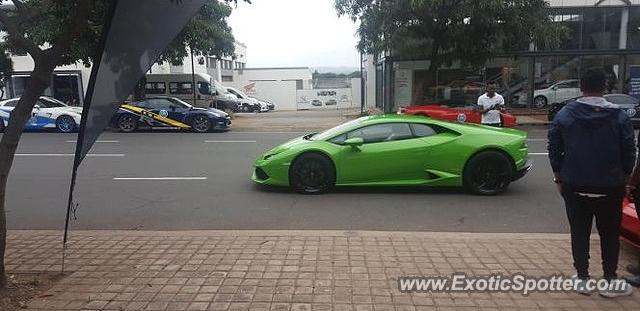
(488, 173)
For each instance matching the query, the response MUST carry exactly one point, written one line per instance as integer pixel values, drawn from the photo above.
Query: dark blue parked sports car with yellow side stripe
(168, 112)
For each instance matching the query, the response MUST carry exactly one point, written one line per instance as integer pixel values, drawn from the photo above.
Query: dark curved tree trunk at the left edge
(40, 80)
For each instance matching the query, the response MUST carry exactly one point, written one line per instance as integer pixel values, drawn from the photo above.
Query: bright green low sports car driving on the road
(398, 150)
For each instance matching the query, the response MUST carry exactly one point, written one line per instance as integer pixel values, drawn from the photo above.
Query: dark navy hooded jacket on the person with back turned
(592, 146)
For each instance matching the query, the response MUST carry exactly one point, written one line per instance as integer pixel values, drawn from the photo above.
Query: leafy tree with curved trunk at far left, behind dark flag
(57, 32)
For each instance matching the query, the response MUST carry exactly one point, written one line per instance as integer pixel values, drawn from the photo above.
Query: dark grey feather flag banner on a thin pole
(135, 33)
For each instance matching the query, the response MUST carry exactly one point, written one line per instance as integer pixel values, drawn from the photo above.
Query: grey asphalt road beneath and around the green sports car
(113, 191)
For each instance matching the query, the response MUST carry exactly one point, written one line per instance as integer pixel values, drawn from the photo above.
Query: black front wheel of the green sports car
(312, 173)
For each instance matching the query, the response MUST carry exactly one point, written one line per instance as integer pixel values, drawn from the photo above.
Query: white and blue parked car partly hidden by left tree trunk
(48, 113)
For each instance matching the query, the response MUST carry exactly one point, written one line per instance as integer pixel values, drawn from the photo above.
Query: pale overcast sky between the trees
(284, 33)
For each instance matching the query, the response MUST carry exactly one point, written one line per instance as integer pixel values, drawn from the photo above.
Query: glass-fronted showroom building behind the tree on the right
(601, 34)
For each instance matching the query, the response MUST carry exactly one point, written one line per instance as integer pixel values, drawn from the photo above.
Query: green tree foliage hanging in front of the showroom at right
(470, 31)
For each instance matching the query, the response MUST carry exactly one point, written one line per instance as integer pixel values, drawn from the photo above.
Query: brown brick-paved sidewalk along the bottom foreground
(292, 270)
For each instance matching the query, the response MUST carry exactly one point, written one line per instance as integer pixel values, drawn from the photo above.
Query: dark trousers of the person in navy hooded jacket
(608, 214)
